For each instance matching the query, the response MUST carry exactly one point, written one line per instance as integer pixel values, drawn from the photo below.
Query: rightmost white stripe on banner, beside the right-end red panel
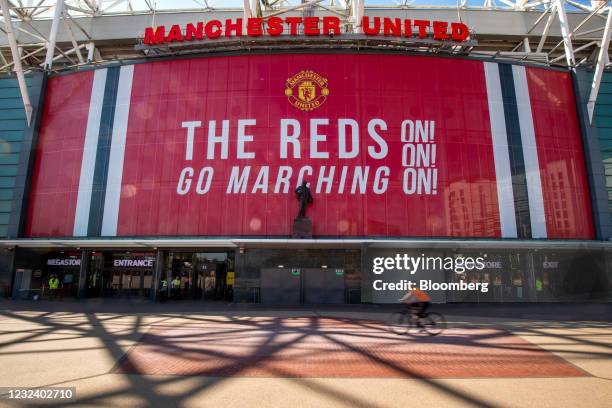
(530, 154)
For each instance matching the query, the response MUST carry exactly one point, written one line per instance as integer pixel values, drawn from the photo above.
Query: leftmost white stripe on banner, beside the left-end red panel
(88, 165)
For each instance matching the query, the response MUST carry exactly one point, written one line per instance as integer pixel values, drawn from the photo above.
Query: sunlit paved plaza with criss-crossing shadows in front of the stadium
(303, 357)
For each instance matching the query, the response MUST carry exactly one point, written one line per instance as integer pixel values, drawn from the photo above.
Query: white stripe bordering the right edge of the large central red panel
(501, 155)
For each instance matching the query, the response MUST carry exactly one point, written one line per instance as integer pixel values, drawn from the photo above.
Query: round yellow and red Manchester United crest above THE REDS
(307, 90)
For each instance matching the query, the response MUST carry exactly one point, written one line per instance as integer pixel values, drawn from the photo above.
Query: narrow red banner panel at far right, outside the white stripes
(560, 154)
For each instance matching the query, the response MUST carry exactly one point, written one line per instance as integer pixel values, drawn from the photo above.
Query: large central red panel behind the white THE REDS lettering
(362, 87)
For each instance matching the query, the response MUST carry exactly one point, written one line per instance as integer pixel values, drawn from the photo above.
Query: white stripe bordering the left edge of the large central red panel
(117, 152)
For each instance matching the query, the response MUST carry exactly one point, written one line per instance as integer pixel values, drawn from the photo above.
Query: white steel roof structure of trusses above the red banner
(69, 34)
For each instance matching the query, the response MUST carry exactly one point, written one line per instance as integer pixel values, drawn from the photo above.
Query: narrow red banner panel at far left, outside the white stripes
(57, 167)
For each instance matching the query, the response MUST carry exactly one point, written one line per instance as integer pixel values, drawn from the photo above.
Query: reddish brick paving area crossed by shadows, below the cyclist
(341, 348)
